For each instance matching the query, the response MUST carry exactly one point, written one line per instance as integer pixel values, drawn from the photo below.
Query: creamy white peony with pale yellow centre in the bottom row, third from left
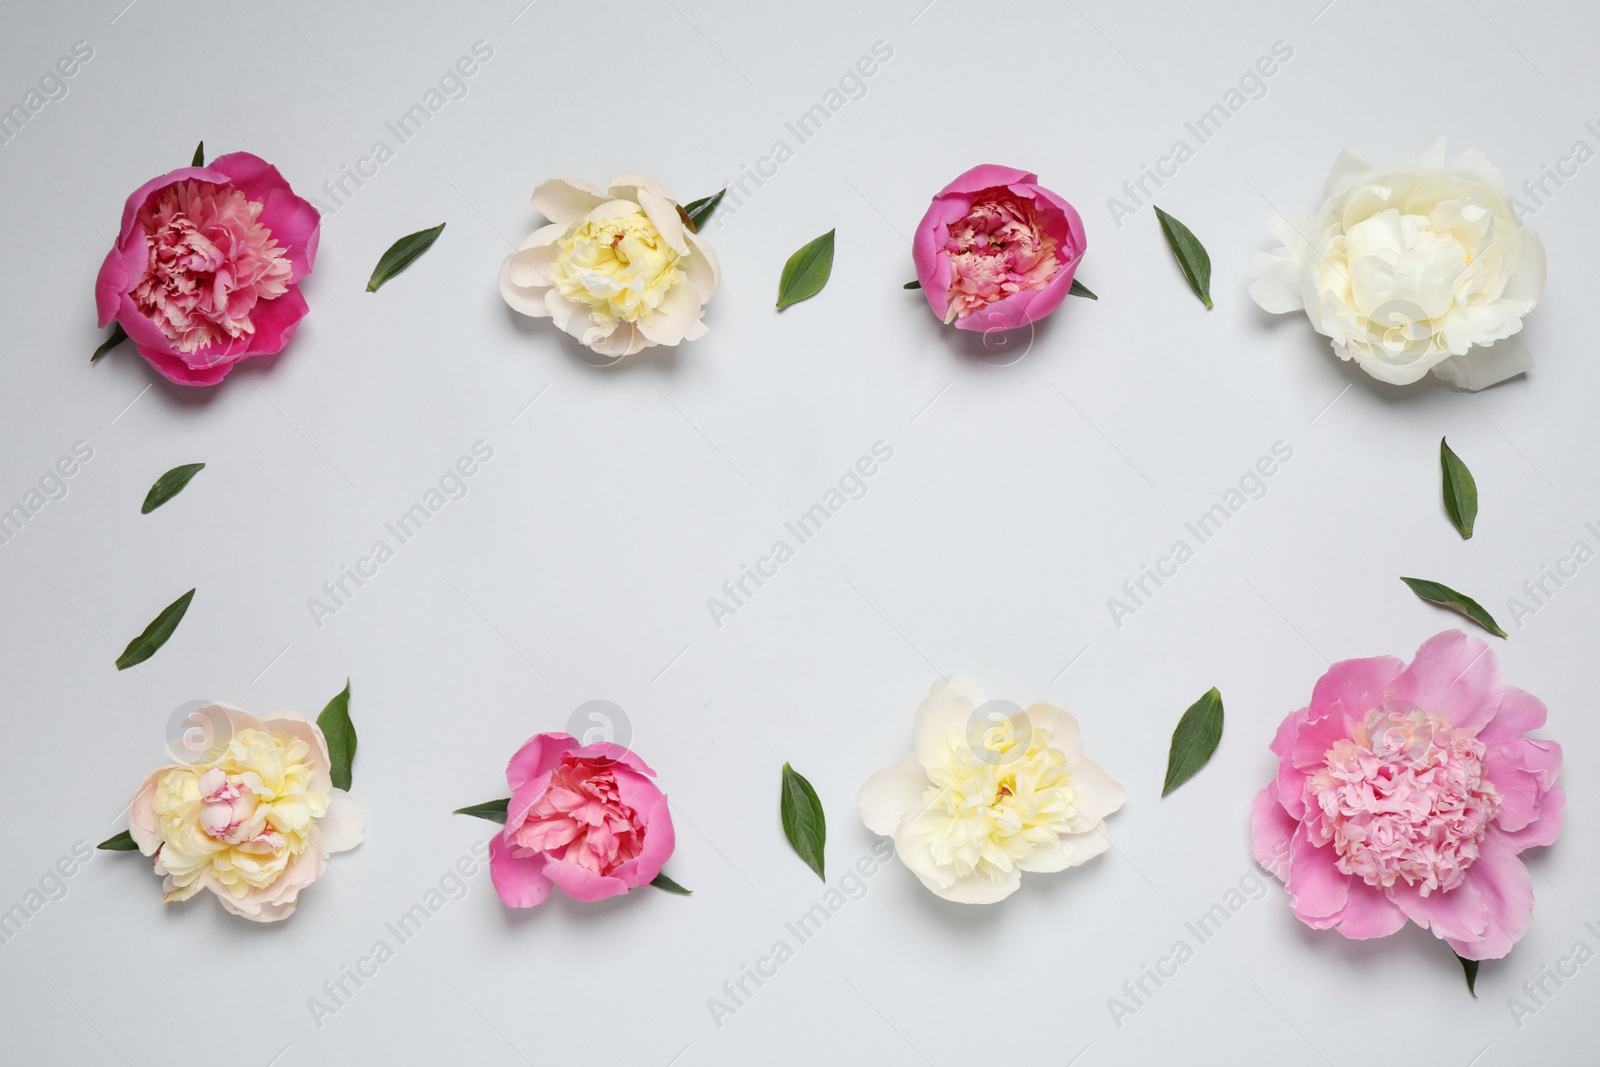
(990, 793)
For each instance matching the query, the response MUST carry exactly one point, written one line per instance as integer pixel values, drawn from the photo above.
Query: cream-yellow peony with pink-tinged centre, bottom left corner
(254, 821)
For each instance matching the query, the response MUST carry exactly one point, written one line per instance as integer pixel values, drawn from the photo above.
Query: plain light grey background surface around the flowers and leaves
(1022, 495)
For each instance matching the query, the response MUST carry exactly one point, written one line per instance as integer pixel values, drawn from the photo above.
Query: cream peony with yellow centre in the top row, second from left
(617, 270)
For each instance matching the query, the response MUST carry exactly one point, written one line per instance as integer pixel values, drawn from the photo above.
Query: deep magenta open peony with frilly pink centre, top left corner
(207, 268)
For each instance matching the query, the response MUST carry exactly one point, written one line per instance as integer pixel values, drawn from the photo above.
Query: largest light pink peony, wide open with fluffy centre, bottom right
(1407, 793)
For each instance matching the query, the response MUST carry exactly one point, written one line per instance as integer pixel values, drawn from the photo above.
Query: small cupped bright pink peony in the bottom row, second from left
(585, 818)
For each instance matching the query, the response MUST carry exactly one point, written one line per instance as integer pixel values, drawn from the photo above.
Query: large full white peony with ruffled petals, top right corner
(1410, 270)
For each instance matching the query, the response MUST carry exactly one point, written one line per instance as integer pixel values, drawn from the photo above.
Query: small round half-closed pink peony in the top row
(998, 250)
